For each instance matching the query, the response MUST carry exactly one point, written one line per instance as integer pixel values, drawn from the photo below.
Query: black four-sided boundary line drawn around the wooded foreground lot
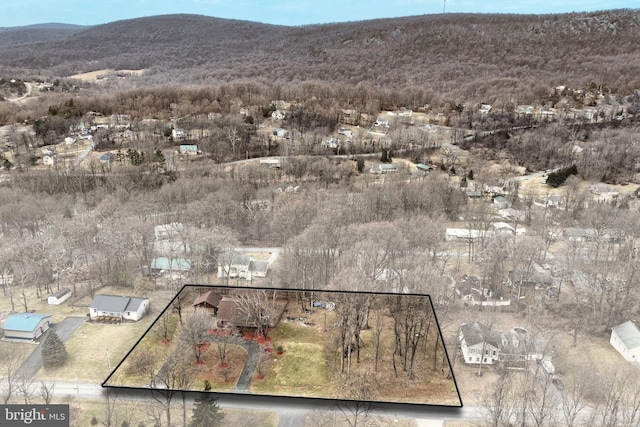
(304, 398)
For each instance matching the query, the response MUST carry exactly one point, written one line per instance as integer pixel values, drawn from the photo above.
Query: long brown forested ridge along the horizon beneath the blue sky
(497, 59)
